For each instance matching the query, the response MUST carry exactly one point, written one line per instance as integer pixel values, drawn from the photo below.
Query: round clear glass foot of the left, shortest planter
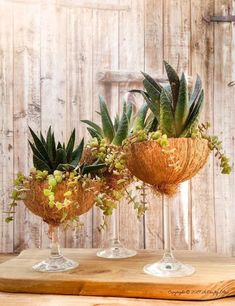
(55, 264)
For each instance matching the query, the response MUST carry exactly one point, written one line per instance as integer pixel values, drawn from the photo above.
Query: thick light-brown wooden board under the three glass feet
(214, 277)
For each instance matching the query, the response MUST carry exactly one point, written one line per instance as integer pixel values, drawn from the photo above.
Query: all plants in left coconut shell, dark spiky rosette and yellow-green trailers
(54, 162)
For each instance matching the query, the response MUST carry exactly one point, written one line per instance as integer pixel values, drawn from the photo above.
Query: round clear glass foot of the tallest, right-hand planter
(166, 269)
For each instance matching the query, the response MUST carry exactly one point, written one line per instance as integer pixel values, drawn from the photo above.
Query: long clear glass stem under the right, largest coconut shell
(167, 230)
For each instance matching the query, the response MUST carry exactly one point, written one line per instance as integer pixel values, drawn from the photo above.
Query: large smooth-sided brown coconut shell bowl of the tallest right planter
(147, 161)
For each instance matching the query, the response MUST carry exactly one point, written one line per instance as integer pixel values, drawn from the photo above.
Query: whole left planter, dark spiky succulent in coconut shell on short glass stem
(59, 189)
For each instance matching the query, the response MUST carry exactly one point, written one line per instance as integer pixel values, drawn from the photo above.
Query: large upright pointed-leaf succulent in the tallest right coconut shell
(175, 109)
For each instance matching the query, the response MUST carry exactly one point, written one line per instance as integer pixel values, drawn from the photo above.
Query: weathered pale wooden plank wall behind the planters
(57, 56)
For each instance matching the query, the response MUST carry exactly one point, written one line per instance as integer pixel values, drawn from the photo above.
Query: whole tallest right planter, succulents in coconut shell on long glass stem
(168, 147)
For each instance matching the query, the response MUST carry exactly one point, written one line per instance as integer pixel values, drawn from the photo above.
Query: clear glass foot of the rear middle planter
(116, 252)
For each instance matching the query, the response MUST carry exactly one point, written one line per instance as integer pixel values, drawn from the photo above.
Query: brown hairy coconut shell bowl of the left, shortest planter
(37, 202)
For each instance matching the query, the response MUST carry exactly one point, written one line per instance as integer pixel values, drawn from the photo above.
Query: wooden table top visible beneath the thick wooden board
(26, 299)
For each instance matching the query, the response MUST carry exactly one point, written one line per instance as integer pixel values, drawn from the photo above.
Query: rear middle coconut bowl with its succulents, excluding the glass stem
(106, 145)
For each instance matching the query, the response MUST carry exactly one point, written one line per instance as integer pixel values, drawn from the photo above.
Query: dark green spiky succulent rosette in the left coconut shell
(49, 156)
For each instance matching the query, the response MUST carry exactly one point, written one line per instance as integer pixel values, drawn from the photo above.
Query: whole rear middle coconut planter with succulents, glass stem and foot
(106, 145)
